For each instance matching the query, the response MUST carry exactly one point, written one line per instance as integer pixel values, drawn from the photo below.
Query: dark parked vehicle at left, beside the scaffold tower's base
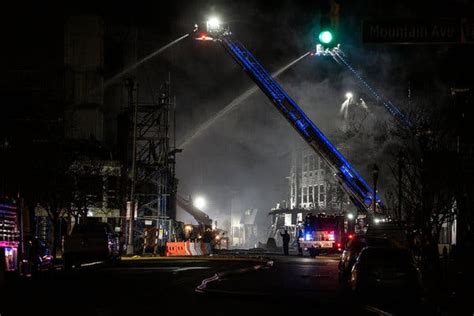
(91, 242)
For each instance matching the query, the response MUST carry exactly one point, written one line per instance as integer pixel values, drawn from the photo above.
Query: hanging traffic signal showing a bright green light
(328, 23)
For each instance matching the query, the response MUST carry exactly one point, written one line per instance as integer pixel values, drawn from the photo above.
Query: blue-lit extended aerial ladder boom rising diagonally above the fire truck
(353, 184)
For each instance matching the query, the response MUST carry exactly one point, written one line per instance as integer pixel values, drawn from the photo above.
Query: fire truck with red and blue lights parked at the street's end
(322, 233)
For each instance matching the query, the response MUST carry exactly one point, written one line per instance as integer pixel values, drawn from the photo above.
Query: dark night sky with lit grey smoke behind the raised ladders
(247, 153)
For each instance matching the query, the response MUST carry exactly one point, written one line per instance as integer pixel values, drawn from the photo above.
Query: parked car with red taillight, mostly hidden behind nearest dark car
(352, 250)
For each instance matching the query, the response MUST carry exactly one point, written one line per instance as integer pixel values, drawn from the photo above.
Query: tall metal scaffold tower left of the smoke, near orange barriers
(152, 192)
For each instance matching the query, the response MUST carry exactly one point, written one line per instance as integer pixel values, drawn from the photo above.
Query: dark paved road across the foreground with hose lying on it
(290, 285)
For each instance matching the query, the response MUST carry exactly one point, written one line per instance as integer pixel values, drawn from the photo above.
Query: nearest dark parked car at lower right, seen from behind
(379, 270)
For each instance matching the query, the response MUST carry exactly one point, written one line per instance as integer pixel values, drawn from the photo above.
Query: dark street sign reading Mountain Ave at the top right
(418, 31)
